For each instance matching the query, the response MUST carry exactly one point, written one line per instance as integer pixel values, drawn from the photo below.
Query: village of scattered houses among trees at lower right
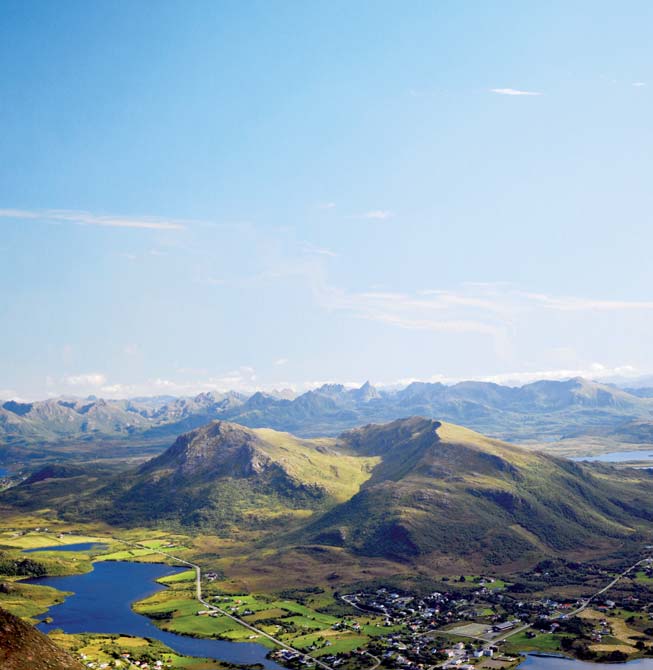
(485, 625)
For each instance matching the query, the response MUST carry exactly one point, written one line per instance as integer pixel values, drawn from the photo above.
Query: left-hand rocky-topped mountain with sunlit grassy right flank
(230, 478)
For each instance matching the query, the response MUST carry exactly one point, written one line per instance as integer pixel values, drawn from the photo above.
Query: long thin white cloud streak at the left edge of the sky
(82, 218)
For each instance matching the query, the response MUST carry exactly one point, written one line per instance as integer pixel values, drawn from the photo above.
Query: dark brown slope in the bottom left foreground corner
(22, 647)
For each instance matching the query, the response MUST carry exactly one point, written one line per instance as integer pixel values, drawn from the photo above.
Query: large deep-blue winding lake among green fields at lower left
(101, 604)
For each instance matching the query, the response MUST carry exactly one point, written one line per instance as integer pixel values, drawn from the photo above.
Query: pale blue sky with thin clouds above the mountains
(213, 195)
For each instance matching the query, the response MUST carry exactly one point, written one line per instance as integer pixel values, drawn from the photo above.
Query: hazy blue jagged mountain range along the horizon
(540, 411)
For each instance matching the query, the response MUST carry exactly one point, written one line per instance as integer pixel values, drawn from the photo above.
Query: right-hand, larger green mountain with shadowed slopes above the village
(444, 490)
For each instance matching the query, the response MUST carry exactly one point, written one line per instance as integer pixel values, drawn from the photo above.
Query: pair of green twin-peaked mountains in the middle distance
(414, 490)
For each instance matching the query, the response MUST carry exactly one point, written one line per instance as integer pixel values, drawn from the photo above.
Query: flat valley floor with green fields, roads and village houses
(408, 621)
